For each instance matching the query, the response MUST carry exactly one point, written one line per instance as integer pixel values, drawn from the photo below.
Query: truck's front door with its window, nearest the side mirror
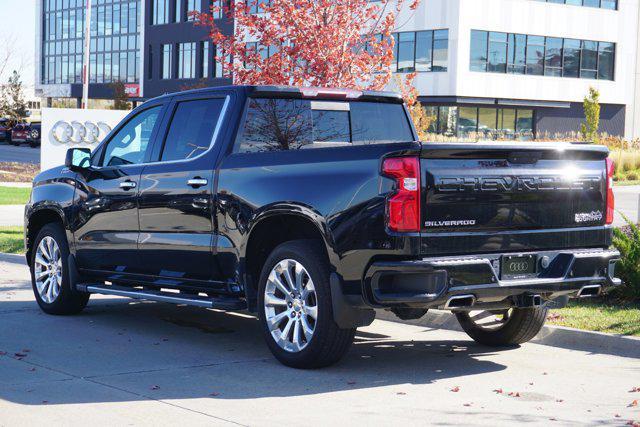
(106, 233)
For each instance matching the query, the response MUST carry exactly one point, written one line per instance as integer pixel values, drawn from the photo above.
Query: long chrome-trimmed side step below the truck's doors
(230, 304)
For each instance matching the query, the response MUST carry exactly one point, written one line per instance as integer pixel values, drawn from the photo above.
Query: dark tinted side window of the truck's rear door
(192, 128)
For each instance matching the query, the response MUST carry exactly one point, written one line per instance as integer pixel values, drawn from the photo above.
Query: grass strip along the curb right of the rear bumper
(598, 316)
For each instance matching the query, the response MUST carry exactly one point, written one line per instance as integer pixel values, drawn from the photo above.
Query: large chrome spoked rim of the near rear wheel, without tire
(290, 305)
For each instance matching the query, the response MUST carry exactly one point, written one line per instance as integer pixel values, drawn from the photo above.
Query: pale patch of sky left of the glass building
(18, 25)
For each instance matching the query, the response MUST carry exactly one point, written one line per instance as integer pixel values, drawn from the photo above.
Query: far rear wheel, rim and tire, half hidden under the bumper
(503, 327)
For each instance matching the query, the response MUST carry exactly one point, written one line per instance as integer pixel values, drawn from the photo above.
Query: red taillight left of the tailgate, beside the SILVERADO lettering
(403, 207)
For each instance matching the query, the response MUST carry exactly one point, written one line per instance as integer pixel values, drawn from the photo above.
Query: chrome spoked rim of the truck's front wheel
(48, 269)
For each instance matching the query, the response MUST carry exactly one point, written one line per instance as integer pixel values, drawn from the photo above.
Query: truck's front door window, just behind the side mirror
(130, 144)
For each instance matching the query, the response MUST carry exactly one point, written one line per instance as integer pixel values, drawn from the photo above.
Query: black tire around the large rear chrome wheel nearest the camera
(329, 342)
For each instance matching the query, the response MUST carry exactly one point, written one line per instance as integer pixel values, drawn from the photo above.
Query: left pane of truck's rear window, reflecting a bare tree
(277, 124)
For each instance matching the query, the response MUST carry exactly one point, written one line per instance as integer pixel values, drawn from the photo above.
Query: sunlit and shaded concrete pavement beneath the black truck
(124, 362)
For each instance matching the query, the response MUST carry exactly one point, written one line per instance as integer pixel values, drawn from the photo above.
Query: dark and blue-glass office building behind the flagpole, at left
(152, 46)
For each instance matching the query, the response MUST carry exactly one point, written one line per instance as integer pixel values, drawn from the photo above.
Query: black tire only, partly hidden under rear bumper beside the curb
(523, 325)
